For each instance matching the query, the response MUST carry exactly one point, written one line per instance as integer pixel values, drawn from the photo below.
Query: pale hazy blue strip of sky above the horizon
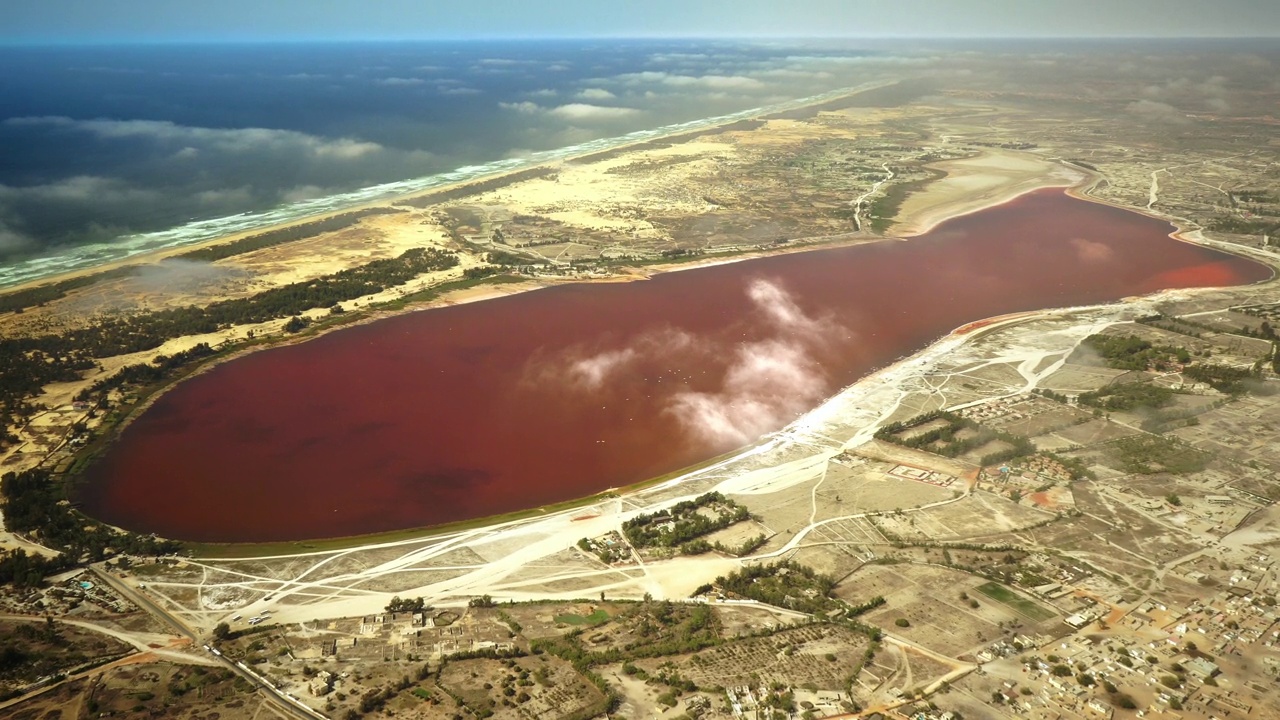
(181, 21)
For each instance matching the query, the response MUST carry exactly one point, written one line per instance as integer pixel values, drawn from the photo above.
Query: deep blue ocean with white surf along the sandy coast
(112, 152)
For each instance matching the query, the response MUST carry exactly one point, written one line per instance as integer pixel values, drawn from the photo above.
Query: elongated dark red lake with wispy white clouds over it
(481, 409)
